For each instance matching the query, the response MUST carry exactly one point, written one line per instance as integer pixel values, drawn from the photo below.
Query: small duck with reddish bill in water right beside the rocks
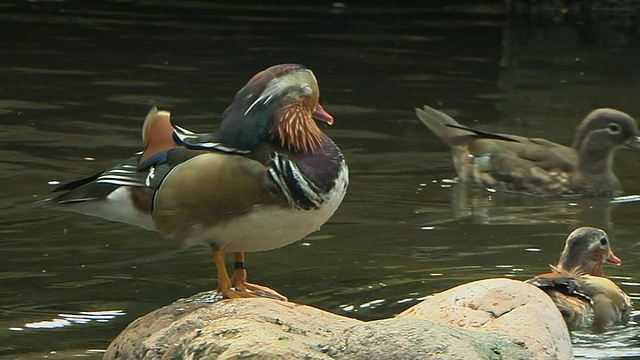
(578, 286)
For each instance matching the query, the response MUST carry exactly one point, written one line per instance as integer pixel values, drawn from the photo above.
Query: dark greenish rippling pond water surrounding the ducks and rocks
(77, 83)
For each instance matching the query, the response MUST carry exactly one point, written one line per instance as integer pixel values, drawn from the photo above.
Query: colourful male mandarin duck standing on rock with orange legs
(267, 178)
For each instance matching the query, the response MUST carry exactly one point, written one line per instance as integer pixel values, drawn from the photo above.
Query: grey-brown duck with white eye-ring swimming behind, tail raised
(538, 166)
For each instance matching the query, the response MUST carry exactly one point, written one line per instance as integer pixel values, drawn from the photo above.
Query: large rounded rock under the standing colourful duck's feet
(202, 328)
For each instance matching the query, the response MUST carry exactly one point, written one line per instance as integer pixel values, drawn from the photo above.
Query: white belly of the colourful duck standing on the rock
(269, 227)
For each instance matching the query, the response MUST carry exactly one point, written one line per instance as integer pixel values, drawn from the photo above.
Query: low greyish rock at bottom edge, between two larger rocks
(412, 338)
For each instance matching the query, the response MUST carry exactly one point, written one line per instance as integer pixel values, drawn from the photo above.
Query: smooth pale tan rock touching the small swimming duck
(503, 306)
